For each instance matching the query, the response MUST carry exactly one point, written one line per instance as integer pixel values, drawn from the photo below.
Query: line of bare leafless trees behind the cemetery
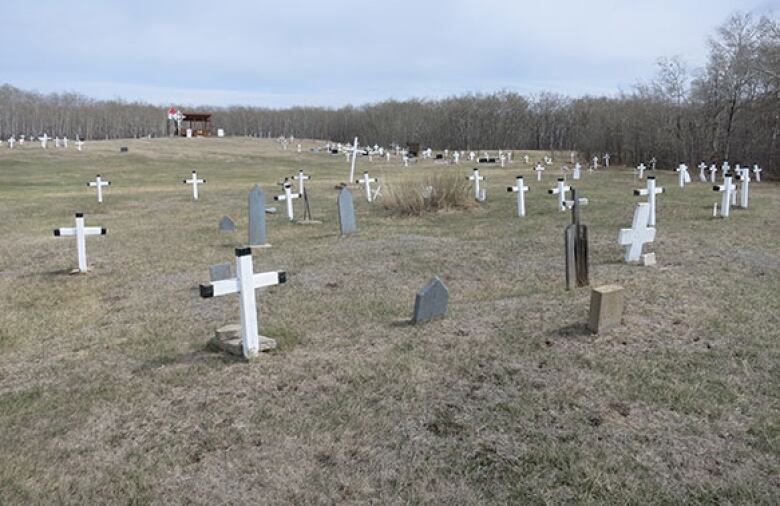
(728, 110)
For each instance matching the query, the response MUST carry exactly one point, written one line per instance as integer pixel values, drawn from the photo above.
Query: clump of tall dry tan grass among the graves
(439, 191)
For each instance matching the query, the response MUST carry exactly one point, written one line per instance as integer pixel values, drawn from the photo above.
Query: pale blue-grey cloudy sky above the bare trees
(291, 52)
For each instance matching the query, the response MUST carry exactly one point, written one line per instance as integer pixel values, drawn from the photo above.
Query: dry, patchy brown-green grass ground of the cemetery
(109, 392)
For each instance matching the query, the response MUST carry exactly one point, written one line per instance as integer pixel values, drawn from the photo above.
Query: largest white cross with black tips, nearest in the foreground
(245, 283)
